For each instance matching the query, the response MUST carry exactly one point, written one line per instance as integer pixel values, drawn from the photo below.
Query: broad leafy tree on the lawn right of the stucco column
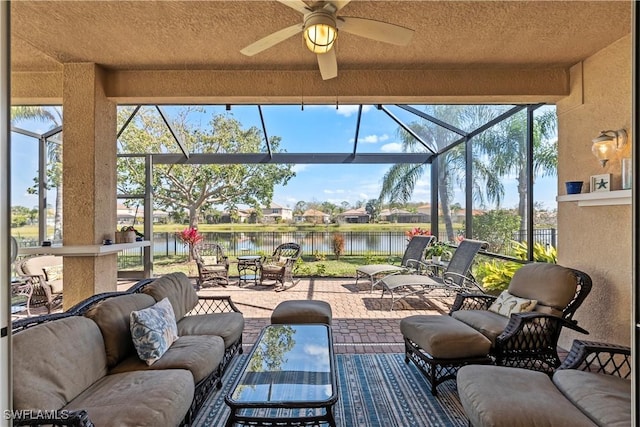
(193, 187)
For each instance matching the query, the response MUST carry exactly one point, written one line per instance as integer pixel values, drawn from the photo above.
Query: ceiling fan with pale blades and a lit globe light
(320, 28)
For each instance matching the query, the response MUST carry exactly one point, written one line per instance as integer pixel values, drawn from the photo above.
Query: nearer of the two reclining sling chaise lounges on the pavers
(455, 277)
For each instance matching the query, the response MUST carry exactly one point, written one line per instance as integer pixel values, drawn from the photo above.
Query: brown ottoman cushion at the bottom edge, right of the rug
(526, 399)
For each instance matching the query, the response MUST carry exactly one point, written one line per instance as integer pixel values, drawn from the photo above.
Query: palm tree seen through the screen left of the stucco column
(53, 117)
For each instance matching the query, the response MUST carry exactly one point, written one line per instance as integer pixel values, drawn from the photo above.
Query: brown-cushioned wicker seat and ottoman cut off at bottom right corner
(592, 387)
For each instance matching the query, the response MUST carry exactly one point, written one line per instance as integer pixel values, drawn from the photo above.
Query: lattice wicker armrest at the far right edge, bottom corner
(599, 357)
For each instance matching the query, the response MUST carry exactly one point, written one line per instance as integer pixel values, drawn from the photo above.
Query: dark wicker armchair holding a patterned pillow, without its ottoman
(527, 339)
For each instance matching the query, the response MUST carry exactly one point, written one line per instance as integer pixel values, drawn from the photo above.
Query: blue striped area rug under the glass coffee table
(376, 390)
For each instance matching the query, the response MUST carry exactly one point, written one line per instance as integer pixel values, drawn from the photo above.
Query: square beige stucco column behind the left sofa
(89, 180)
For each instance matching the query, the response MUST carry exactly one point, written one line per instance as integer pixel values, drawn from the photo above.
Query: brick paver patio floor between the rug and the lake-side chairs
(362, 322)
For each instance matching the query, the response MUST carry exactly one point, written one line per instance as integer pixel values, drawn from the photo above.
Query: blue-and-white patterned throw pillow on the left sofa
(153, 330)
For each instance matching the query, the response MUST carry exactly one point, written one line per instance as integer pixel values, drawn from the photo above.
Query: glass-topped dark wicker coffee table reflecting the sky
(289, 378)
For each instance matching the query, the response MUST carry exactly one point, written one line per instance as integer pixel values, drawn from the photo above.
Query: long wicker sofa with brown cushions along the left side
(82, 368)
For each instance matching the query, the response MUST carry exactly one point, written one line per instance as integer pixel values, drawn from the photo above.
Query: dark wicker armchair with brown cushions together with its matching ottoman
(520, 330)
